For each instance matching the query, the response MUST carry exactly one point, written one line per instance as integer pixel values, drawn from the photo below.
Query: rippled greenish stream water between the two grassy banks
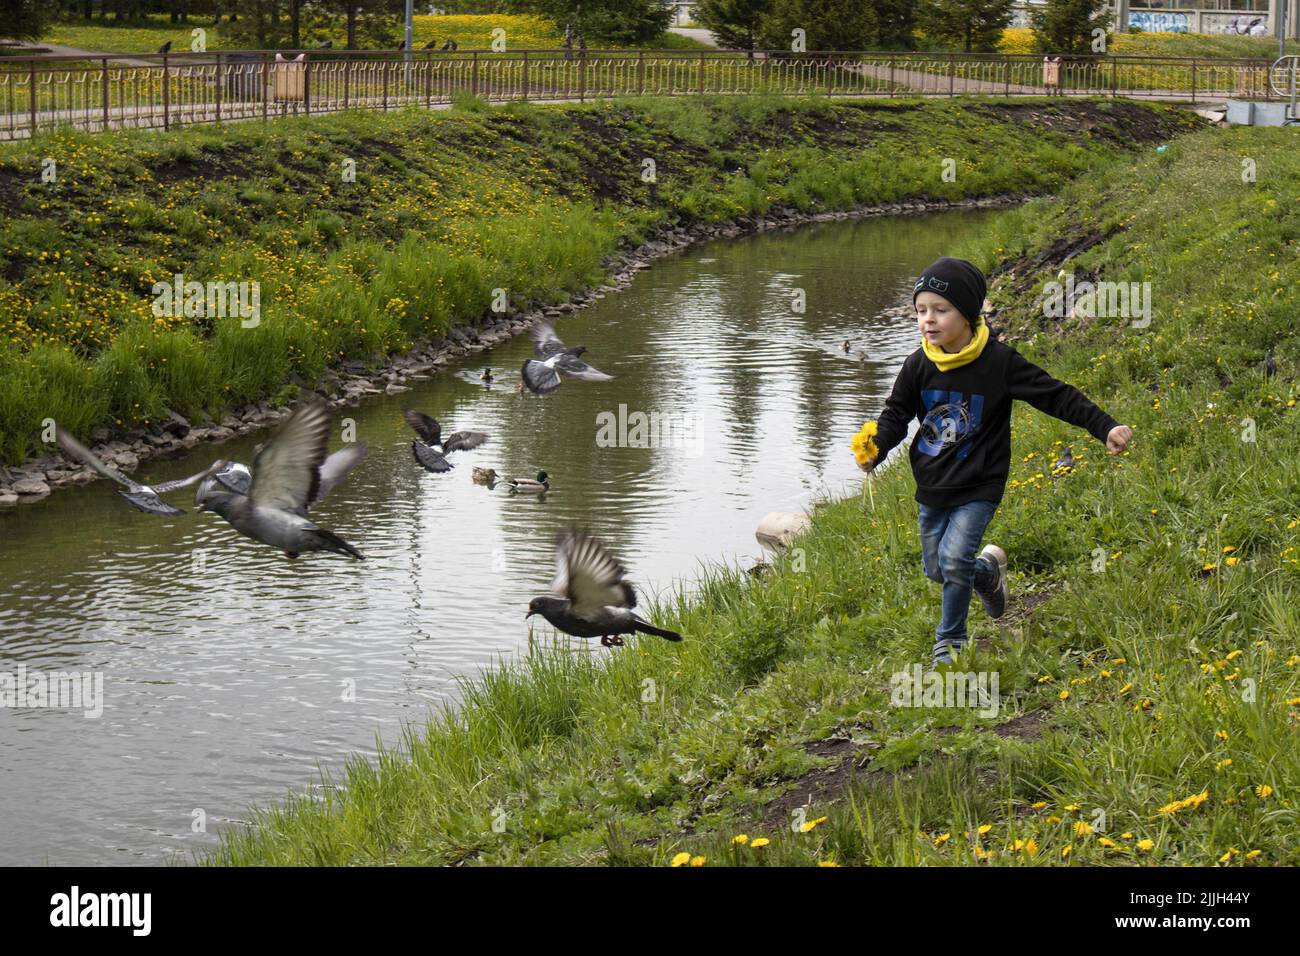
(231, 685)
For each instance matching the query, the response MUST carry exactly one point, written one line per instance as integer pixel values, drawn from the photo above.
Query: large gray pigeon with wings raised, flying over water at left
(289, 477)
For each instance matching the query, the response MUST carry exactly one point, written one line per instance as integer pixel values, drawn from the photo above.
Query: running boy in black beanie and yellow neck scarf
(961, 384)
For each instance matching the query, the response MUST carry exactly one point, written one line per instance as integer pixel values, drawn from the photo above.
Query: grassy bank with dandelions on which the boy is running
(1150, 667)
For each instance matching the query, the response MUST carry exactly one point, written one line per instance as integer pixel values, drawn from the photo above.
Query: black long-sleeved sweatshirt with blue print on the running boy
(964, 449)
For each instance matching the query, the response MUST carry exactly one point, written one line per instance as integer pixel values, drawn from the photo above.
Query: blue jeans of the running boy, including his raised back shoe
(950, 540)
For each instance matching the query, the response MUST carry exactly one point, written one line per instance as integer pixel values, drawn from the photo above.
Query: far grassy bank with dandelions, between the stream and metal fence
(445, 209)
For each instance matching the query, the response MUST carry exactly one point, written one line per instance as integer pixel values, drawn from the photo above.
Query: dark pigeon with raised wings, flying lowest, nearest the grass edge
(591, 596)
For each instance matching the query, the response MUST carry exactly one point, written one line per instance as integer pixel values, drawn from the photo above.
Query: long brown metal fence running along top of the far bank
(170, 90)
